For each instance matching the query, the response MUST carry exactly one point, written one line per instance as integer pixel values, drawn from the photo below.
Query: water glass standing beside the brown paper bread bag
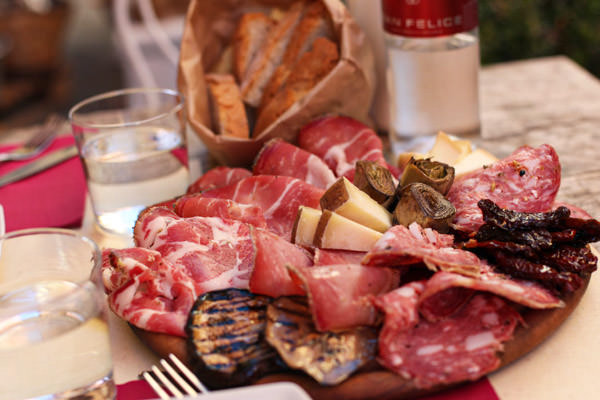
(133, 147)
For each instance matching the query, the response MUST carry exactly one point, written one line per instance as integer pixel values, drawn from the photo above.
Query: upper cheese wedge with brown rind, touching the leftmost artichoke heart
(349, 201)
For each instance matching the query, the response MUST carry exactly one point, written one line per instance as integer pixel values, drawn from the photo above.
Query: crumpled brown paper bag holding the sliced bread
(347, 90)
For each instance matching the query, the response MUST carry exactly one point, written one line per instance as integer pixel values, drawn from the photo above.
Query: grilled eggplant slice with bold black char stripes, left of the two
(225, 338)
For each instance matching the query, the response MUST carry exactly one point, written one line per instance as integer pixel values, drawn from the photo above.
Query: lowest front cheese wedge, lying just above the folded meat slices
(337, 232)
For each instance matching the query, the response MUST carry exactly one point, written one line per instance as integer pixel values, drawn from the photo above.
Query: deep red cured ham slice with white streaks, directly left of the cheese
(278, 196)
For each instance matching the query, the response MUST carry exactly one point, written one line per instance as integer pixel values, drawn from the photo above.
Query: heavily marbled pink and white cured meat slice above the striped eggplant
(216, 253)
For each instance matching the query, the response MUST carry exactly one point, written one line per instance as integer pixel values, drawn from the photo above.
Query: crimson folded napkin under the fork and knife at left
(52, 198)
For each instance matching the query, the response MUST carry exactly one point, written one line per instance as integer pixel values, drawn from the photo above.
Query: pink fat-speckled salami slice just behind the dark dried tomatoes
(526, 181)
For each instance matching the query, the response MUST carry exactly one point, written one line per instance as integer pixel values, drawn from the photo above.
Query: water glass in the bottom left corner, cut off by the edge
(54, 338)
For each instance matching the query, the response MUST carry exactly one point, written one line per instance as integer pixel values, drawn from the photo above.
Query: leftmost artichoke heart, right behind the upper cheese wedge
(376, 181)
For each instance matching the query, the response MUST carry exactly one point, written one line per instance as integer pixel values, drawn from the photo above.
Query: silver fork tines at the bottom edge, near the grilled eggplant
(175, 383)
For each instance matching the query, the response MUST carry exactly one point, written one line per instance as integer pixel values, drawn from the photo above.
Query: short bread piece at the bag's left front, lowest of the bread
(227, 108)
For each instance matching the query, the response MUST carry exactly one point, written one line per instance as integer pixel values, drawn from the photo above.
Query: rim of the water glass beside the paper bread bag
(178, 106)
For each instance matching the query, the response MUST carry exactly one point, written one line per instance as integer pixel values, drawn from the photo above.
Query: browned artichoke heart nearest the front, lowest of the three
(422, 204)
